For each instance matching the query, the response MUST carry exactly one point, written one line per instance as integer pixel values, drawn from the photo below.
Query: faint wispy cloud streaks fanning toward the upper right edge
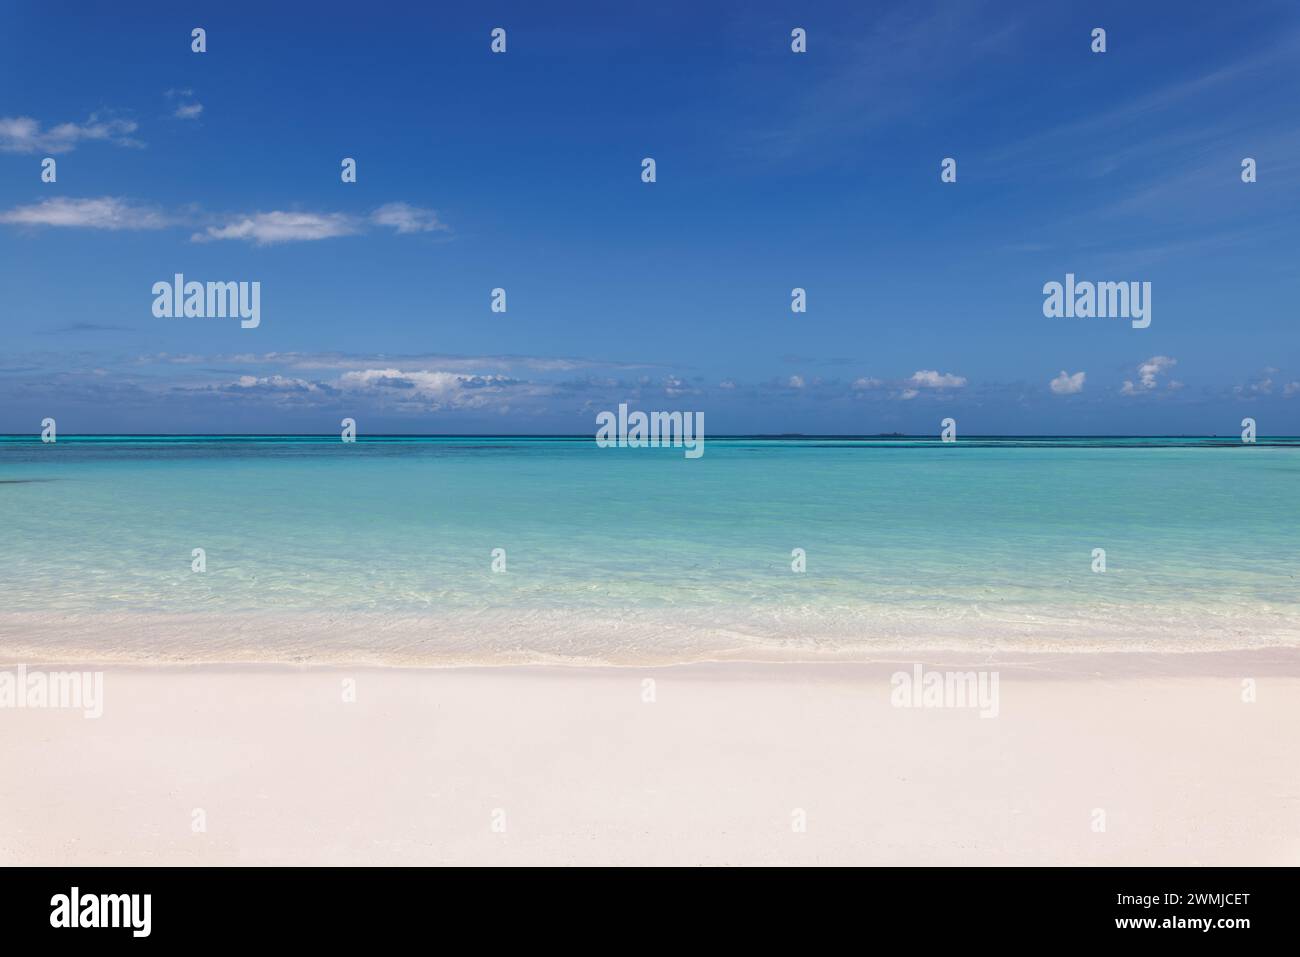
(1159, 167)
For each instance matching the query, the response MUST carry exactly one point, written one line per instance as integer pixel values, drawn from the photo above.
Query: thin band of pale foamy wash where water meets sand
(556, 636)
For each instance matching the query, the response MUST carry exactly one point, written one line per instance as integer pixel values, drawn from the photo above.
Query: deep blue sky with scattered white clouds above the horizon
(775, 170)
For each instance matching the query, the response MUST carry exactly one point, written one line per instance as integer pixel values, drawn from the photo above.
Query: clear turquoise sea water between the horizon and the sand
(383, 551)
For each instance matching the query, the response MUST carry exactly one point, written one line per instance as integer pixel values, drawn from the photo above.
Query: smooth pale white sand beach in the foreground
(574, 767)
